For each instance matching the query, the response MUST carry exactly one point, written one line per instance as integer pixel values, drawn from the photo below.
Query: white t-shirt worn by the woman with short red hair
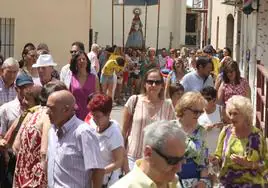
(109, 140)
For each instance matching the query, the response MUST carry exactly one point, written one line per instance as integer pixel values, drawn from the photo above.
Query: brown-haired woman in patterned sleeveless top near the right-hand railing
(233, 83)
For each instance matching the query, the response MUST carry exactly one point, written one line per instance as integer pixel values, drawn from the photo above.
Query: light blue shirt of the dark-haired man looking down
(193, 82)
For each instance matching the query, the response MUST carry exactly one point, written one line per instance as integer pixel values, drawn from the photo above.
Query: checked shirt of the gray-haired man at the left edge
(6, 94)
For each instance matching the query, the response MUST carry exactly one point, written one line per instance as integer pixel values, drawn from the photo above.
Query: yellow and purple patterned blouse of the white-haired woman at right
(253, 148)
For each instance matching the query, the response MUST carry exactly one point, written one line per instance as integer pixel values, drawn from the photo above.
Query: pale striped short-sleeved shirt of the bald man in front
(71, 157)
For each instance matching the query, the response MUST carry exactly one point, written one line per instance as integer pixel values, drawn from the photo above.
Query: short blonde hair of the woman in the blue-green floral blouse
(188, 100)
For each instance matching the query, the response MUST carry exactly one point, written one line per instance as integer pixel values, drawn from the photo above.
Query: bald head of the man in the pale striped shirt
(60, 107)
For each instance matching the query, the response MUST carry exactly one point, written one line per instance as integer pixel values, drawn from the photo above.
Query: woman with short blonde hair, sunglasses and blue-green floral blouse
(195, 171)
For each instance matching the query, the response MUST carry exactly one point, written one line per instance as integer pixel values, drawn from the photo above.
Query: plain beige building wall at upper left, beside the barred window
(57, 23)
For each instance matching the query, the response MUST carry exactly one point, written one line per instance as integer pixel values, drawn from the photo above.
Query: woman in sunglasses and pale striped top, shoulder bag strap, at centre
(141, 110)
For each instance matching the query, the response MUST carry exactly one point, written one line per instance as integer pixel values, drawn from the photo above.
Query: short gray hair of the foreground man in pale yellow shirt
(157, 134)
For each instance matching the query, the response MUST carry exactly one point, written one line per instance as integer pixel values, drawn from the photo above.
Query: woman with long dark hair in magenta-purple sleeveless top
(81, 82)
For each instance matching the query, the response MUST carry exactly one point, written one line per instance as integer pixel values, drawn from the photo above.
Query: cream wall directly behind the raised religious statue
(172, 19)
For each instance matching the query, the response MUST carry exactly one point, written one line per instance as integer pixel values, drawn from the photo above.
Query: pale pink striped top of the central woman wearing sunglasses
(141, 119)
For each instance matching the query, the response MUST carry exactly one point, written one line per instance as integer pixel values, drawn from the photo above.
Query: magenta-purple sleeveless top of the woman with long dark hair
(81, 94)
